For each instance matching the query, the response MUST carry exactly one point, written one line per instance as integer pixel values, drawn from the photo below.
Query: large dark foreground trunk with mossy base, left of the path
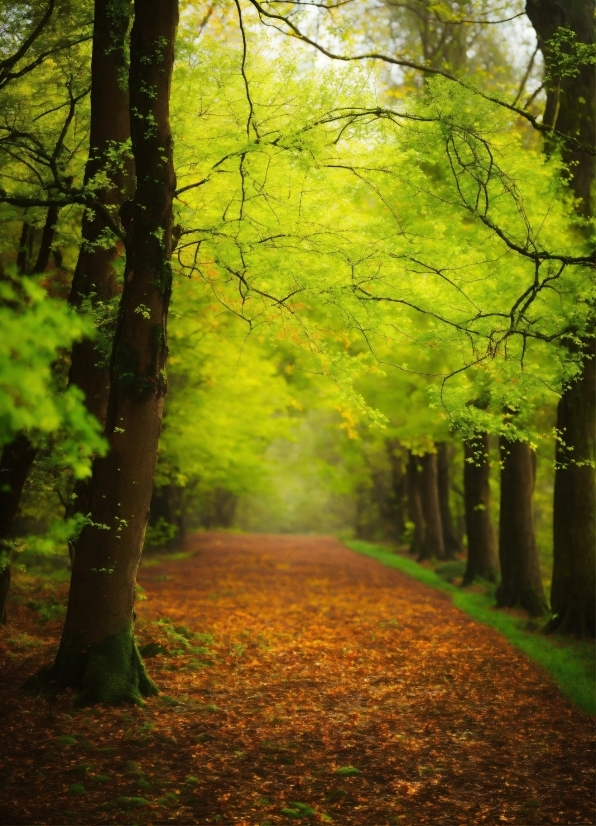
(98, 653)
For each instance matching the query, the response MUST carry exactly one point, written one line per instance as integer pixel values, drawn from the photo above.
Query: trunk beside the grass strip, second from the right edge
(521, 582)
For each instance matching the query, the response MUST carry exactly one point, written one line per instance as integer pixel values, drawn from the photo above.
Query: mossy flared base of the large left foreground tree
(109, 672)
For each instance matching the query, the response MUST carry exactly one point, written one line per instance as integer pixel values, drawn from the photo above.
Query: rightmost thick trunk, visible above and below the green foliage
(571, 109)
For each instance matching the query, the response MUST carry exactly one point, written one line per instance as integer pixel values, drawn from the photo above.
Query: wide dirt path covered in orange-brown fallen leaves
(313, 662)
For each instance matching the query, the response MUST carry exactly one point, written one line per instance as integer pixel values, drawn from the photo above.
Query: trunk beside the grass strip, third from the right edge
(482, 553)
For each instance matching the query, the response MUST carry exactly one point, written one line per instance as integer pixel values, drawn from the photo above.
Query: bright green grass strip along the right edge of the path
(570, 662)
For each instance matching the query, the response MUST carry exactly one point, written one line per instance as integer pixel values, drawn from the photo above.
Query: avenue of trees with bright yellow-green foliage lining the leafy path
(369, 222)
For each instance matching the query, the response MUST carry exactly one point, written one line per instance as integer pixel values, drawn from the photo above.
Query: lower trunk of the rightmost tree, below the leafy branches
(573, 587)
